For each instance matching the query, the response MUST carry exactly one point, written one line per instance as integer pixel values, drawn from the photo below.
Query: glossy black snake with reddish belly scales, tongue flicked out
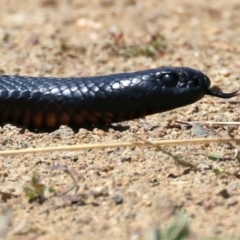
(47, 103)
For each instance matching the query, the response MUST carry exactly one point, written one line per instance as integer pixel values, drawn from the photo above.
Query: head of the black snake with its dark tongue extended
(182, 86)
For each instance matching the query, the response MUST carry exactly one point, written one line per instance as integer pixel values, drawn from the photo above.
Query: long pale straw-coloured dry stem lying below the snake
(116, 145)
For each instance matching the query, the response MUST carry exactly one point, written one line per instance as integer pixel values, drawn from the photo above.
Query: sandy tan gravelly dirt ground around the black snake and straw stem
(123, 193)
